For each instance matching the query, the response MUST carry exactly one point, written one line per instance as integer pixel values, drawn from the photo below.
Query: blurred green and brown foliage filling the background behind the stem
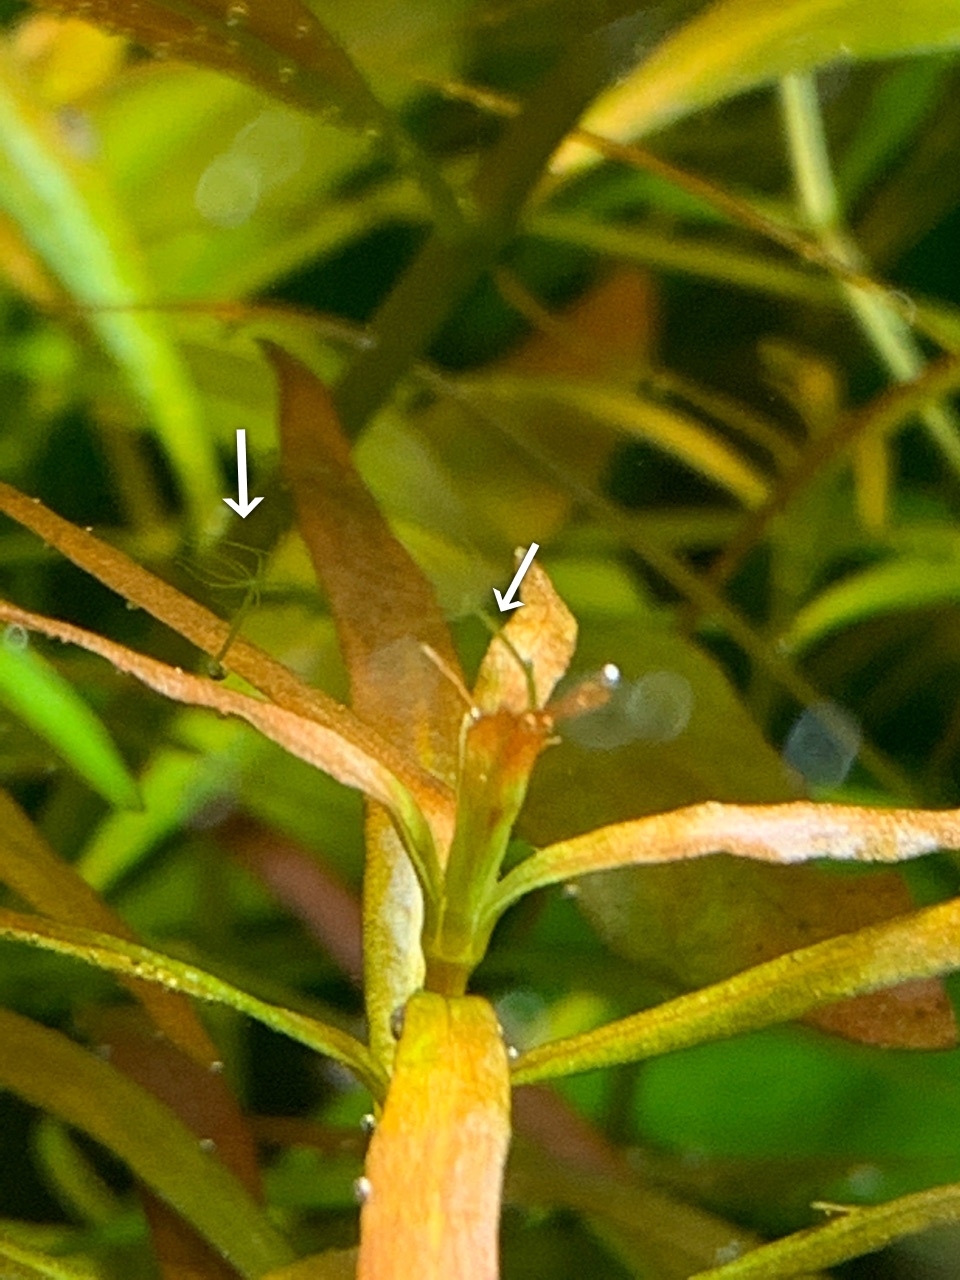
(673, 372)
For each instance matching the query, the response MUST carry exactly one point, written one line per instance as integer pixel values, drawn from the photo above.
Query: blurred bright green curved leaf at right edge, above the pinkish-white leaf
(903, 584)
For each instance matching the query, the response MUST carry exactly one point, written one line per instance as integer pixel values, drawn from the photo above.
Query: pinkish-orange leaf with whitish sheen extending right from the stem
(772, 834)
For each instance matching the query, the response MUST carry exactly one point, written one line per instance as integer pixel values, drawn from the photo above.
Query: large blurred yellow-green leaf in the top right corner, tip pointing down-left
(735, 45)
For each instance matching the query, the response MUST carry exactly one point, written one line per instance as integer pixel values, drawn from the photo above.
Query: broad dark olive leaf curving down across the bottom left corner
(51, 1072)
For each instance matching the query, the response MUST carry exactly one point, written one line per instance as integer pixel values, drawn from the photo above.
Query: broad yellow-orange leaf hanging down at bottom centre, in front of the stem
(445, 1132)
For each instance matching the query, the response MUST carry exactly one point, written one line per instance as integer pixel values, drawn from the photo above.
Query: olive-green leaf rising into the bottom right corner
(852, 1233)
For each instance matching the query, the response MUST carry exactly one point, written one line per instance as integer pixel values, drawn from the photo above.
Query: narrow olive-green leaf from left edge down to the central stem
(130, 959)
